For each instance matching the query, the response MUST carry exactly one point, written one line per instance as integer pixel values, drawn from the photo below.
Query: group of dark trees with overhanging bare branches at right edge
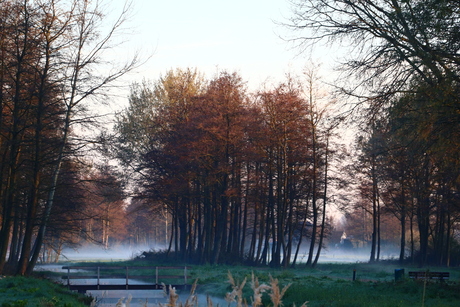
(404, 60)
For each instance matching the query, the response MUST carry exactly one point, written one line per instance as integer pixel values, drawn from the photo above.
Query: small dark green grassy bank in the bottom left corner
(25, 291)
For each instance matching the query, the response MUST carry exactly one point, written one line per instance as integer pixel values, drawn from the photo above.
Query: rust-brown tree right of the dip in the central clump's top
(288, 154)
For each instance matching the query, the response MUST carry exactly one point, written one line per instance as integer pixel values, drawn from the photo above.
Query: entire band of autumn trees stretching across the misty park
(228, 175)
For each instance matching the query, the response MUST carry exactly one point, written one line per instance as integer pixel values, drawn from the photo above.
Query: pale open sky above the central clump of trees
(215, 35)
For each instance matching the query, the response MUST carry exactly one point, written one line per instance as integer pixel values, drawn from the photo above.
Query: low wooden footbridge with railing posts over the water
(125, 277)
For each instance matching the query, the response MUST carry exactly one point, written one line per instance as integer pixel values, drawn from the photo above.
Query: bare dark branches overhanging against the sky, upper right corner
(392, 41)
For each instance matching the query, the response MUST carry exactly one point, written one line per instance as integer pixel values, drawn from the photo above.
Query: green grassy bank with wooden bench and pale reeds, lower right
(326, 285)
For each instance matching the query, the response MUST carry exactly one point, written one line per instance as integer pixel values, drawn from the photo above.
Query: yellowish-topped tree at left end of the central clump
(158, 139)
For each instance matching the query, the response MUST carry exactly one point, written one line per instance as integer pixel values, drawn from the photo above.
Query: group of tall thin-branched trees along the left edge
(48, 54)
